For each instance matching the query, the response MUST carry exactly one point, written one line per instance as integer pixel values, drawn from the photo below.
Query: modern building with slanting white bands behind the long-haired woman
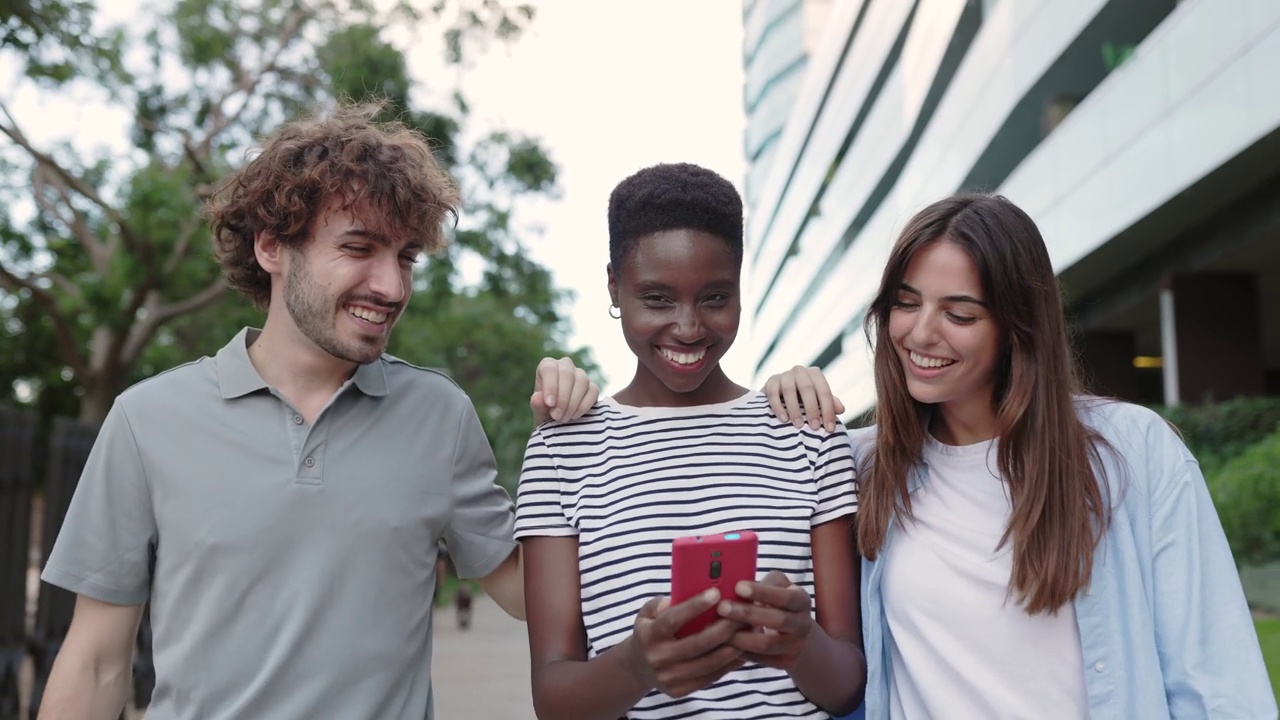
(1144, 136)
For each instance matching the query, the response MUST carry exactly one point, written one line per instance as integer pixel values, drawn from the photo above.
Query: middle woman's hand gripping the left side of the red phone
(678, 667)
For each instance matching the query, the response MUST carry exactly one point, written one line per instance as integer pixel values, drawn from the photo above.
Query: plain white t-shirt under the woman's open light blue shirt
(961, 642)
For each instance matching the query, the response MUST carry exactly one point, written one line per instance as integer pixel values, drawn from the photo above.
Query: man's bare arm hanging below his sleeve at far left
(92, 675)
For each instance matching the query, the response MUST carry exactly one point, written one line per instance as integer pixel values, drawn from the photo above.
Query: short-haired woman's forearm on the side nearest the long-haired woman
(831, 673)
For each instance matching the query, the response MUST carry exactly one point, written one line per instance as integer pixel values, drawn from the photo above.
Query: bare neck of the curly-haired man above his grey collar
(295, 366)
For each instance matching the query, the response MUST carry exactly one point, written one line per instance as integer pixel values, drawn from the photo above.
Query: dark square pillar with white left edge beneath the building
(1214, 325)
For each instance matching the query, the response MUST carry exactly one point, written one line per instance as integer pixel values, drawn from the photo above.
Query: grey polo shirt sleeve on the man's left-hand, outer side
(104, 548)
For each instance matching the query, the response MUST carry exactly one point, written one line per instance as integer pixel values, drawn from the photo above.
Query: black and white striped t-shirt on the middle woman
(628, 481)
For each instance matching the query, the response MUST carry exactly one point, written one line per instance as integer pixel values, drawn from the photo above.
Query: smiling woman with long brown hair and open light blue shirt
(1028, 552)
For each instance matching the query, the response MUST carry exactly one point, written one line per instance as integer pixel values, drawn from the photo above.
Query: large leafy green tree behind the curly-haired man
(107, 274)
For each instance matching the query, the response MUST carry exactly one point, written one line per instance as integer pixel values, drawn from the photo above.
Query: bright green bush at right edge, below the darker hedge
(1246, 491)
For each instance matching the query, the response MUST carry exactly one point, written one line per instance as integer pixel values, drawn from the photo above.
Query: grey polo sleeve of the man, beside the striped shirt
(479, 530)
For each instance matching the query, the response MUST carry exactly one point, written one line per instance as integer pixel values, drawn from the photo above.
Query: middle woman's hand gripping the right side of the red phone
(779, 619)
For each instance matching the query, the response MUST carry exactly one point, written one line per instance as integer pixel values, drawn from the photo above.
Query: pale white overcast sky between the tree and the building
(610, 86)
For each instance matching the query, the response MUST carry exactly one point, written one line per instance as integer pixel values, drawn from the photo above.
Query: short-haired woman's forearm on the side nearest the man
(604, 689)
